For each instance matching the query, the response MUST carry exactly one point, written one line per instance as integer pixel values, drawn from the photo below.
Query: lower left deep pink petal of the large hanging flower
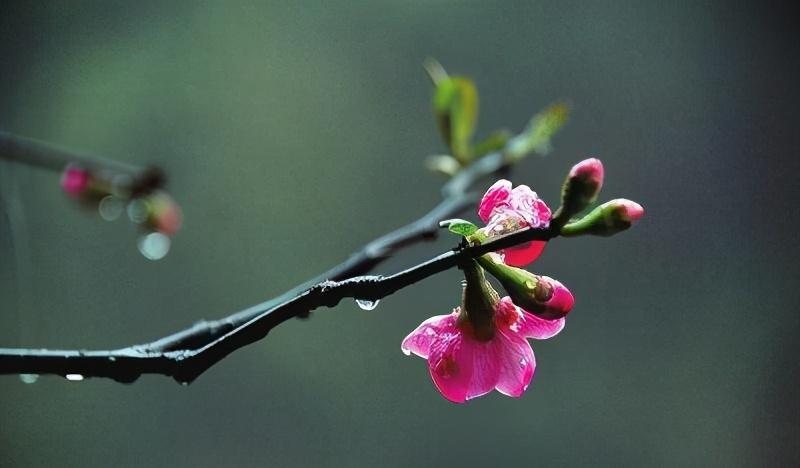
(451, 365)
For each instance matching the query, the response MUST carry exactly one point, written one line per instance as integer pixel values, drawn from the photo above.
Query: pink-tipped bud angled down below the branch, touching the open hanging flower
(539, 295)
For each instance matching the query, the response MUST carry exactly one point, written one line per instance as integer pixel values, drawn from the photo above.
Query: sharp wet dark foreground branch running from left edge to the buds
(127, 364)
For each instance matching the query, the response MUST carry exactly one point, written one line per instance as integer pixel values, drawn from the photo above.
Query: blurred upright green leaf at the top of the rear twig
(455, 104)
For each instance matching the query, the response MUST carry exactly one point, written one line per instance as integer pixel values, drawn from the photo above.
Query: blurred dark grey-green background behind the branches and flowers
(294, 133)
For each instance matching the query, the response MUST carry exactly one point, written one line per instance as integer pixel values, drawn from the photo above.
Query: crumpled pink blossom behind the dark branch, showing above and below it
(505, 210)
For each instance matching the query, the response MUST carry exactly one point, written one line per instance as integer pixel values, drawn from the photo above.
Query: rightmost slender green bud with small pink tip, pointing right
(607, 219)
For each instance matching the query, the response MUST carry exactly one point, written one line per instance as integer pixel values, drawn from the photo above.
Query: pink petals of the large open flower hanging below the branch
(464, 367)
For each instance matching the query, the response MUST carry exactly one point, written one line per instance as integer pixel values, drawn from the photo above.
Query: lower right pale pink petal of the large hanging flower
(517, 364)
